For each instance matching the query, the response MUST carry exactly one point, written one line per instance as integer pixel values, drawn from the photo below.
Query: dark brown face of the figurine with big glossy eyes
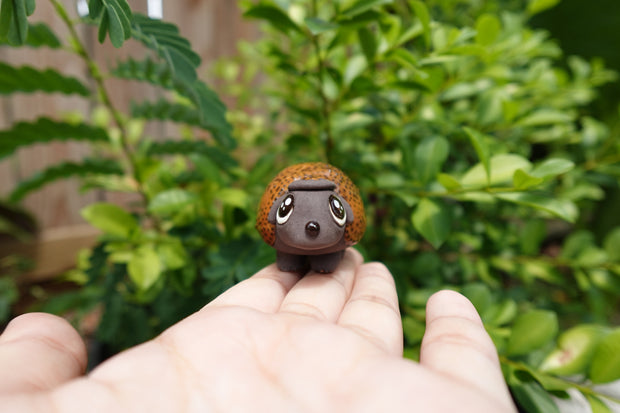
(310, 217)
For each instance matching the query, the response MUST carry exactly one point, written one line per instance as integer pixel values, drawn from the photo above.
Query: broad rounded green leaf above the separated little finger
(433, 220)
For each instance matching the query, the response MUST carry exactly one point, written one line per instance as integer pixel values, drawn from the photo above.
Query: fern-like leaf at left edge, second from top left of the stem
(28, 79)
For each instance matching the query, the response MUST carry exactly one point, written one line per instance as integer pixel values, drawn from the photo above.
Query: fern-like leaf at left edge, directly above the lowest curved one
(45, 130)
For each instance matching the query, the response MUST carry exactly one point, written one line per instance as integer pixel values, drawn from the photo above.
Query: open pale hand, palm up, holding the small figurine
(276, 342)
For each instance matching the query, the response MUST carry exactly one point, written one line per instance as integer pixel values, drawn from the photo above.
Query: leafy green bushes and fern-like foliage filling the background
(487, 158)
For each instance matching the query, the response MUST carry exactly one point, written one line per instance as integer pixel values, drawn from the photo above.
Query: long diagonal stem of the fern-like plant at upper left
(103, 94)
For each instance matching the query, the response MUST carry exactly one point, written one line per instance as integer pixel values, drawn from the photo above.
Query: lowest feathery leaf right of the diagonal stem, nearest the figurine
(183, 147)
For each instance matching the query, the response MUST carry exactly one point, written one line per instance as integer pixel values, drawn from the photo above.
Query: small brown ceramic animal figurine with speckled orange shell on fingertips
(310, 213)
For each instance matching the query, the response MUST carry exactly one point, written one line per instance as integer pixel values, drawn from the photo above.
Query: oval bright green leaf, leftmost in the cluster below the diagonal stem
(110, 218)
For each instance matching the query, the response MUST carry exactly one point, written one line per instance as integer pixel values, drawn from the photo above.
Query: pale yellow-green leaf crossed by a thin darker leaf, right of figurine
(501, 167)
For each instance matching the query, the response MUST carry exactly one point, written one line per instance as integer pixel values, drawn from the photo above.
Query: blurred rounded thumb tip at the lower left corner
(39, 351)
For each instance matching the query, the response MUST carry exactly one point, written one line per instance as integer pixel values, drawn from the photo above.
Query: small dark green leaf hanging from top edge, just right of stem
(114, 18)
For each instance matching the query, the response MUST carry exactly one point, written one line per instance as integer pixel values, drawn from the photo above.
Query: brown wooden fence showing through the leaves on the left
(212, 26)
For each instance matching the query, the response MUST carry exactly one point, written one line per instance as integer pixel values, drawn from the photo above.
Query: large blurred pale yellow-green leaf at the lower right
(574, 351)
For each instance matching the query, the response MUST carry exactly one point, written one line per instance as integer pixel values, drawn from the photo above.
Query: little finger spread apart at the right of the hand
(457, 345)
